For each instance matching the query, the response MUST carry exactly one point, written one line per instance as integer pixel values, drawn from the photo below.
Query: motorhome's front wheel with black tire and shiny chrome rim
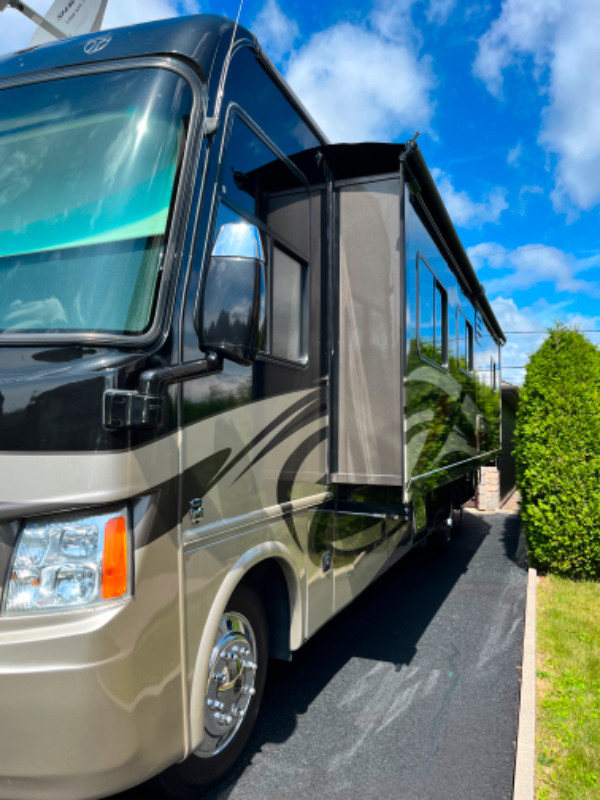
(236, 681)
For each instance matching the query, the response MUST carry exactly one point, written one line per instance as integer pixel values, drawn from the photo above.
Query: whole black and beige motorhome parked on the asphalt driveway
(243, 370)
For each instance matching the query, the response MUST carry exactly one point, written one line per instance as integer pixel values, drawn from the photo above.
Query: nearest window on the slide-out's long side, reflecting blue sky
(433, 316)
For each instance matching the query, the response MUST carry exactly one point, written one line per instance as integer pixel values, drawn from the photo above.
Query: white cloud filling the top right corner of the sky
(560, 40)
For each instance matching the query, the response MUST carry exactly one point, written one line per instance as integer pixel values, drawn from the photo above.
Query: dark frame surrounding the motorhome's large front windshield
(180, 204)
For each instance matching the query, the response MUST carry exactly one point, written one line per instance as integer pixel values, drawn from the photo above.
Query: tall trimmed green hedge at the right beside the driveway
(557, 455)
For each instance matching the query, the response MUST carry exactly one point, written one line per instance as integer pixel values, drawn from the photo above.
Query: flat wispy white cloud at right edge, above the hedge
(533, 265)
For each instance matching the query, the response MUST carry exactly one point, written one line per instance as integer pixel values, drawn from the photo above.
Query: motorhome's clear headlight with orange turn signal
(69, 562)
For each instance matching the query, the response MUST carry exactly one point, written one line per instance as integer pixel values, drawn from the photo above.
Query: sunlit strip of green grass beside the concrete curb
(568, 690)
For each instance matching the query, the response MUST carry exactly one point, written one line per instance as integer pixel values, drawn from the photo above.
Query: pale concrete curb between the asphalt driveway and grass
(525, 759)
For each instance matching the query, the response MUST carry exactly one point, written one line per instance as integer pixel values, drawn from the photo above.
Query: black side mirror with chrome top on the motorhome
(232, 308)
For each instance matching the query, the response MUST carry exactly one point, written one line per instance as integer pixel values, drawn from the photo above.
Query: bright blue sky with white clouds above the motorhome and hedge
(506, 97)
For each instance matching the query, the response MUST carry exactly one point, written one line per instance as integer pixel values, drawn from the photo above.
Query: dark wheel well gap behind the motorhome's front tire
(268, 580)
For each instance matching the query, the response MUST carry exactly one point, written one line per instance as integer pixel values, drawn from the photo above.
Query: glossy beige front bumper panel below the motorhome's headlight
(91, 700)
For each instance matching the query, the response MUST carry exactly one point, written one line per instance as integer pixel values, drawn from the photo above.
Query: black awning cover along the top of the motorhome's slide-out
(348, 161)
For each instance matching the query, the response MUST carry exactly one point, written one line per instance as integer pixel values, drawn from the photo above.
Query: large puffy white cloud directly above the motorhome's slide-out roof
(365, 82)
